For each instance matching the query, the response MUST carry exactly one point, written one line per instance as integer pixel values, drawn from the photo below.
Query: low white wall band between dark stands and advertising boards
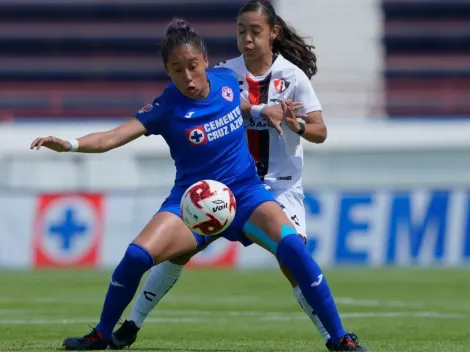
(355, 155)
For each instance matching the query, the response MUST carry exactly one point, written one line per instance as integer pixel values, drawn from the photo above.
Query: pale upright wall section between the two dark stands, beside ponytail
(347, 36)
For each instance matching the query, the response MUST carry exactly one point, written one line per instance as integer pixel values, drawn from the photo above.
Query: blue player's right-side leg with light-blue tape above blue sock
(270, 227)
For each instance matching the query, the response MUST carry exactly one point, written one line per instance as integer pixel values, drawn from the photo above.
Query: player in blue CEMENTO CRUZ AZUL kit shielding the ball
(199, 117)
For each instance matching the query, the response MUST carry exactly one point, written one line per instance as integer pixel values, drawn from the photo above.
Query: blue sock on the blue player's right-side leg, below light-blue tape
(292, 252)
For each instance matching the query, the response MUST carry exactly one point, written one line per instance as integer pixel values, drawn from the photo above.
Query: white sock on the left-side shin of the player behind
(159, 281)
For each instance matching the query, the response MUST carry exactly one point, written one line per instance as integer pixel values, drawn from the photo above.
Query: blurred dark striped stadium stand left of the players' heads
(96, 58)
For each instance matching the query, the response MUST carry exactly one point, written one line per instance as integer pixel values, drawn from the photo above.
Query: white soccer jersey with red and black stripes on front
(279, 159)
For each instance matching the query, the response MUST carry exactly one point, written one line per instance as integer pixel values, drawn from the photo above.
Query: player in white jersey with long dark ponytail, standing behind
(276, 64)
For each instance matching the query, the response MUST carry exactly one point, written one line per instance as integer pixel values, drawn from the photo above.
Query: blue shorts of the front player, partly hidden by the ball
(248, 199)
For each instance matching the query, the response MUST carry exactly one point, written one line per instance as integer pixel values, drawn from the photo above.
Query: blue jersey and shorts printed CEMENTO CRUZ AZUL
(207, 141)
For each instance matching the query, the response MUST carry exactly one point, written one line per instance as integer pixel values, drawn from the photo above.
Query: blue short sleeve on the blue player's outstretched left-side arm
(153, 116)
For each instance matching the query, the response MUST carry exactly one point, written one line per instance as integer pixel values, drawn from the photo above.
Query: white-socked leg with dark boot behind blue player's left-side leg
(160, 280)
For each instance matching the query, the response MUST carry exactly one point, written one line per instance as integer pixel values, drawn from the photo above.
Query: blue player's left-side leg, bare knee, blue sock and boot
(165, 236)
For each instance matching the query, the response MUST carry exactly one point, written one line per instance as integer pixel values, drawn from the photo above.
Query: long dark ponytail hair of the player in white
(288, 43)
